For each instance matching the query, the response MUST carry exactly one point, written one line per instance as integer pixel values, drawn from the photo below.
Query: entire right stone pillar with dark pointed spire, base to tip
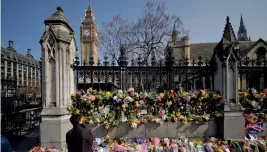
(226, 57)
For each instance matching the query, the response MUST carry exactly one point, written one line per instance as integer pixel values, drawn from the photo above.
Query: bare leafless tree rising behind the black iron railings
(146, 36)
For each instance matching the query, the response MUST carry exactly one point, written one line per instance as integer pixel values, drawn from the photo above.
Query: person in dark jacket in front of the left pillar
(79, 138)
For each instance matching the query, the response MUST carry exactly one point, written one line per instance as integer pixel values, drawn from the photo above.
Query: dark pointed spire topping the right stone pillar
(228, 33)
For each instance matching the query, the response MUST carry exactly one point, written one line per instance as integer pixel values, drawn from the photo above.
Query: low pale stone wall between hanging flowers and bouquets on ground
(168, 130)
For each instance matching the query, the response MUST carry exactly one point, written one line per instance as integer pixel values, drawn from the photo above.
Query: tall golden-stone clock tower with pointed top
(89, 37)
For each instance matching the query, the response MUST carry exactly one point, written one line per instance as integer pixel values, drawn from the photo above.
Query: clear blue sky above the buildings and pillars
(22, 20)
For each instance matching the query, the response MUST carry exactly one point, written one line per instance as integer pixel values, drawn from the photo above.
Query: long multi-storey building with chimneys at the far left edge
(24, 68)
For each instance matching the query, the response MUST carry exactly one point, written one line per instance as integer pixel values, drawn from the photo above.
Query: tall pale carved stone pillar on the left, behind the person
(58, 78)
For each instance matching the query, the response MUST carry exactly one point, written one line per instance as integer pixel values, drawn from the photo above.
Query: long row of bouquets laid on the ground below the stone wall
(182, 144)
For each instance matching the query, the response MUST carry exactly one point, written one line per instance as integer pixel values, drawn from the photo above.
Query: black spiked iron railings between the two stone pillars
(169, 74)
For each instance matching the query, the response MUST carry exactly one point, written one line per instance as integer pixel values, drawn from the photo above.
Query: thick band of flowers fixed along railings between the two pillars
(113, 108)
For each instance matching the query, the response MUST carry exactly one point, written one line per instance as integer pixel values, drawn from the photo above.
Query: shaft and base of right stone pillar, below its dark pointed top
(232, 125)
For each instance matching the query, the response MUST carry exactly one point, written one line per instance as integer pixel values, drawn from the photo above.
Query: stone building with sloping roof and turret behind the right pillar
(183, 48)
